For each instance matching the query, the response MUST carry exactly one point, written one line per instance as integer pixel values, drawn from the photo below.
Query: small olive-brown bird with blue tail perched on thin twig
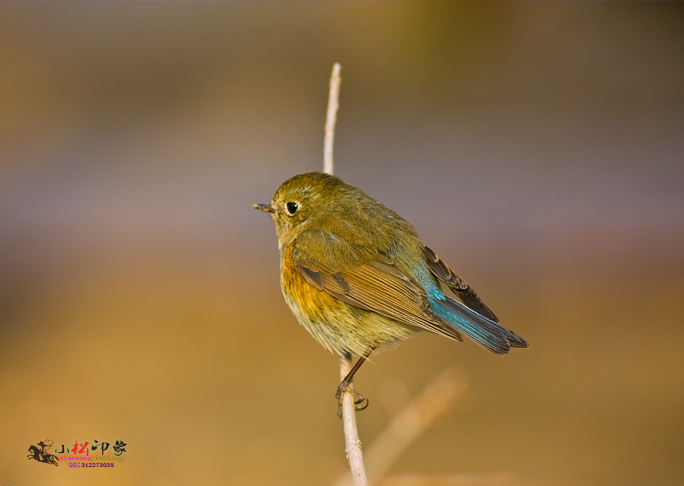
(357, 277)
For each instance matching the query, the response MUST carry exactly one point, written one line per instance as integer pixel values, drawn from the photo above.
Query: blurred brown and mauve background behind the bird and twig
(538, 148)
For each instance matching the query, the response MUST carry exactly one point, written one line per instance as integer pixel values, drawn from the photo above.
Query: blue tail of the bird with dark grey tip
(488, 334)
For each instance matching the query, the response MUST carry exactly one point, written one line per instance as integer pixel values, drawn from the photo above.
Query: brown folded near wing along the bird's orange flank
(376, 286)
